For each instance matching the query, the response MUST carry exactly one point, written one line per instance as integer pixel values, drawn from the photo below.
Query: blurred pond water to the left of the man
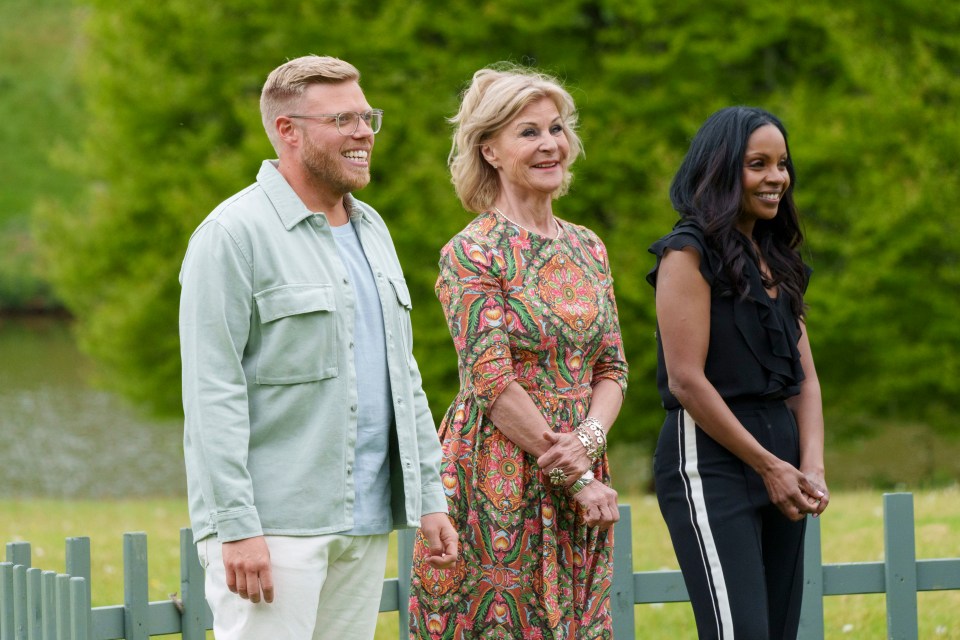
(62, 437)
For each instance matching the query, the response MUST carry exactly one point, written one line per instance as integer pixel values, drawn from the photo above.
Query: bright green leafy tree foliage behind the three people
(867, 90)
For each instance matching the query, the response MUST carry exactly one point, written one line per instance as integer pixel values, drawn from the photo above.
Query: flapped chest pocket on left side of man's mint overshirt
(298, 331)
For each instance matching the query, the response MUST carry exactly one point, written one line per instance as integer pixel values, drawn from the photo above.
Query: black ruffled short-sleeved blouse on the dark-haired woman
(753, 351)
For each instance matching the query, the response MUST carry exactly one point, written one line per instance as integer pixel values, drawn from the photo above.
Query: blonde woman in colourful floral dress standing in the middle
(529, 301)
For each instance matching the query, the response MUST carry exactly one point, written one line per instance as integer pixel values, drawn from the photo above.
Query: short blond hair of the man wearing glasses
(287, 83)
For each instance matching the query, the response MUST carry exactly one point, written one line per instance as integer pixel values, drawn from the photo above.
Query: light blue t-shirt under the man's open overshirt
(371, 512)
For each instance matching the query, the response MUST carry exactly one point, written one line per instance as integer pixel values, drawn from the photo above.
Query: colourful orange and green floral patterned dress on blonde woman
(521, 308)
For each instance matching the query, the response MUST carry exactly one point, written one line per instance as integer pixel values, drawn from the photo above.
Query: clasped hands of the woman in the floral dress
(597, 501)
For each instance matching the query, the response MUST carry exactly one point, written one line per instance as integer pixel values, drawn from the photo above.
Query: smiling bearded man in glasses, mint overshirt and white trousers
(291, 295)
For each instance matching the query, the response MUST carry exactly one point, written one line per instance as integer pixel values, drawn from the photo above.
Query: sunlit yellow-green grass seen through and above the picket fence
(852, 531)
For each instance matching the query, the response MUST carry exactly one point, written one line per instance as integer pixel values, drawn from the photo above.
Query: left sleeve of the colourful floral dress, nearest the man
(471, 293)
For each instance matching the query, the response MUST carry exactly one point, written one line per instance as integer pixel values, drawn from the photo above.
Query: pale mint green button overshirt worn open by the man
(269, 382)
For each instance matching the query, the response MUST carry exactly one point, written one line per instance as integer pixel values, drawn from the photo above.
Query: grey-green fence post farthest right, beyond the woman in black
(900, 566)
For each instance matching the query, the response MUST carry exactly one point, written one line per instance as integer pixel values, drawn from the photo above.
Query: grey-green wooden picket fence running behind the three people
(46, 605)
